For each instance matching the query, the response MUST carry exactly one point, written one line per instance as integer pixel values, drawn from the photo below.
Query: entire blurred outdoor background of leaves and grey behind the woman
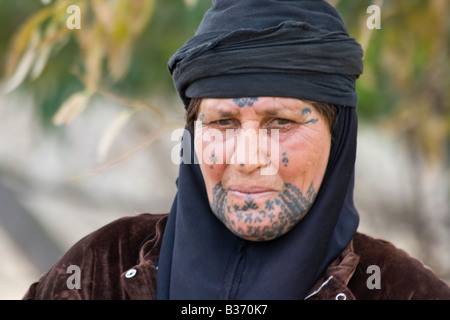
(87, 108)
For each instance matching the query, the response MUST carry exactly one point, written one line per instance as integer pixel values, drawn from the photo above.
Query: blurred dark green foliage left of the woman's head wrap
(169, 26)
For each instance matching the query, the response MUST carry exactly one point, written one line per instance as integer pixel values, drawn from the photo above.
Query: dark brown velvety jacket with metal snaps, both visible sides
(119, 261)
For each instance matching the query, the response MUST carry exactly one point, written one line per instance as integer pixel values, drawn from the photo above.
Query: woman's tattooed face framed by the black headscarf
(263, 160)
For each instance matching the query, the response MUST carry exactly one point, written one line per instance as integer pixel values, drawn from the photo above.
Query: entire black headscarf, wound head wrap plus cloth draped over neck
(297, 49)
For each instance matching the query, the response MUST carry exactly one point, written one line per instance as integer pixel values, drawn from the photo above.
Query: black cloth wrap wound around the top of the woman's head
(297, 49)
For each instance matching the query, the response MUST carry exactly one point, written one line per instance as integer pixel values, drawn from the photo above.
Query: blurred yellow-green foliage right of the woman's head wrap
(406, 81)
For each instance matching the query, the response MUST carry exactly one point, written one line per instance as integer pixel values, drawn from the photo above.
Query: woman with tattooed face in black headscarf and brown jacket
(264, 208)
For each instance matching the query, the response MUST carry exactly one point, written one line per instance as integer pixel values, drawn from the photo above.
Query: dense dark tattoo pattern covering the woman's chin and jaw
(280, 213)
